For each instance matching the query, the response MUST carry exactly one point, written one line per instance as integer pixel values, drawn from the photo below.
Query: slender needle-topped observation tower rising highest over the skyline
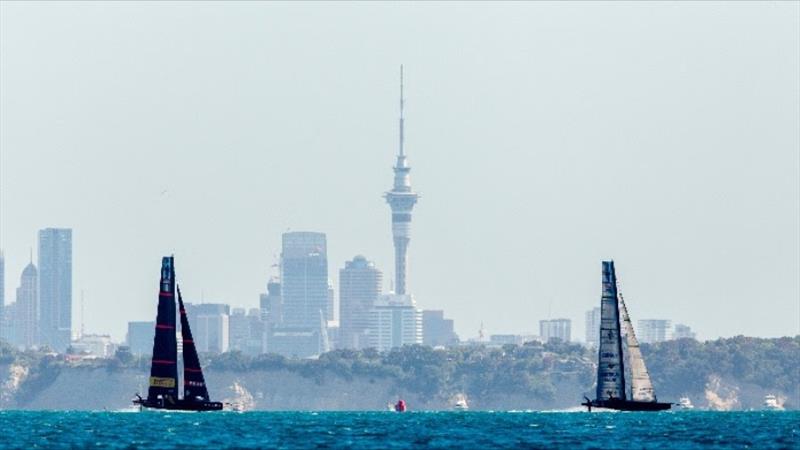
(401, 199)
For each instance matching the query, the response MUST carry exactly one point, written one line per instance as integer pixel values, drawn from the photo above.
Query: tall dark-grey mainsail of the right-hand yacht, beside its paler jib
(611, 368)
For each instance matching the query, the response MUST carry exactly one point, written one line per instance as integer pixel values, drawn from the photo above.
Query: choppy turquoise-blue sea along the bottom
(389, 430)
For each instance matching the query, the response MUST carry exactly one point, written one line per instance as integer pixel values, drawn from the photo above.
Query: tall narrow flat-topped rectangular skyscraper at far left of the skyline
(55, 288)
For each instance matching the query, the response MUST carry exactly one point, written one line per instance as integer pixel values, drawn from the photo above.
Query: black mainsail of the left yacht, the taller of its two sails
(164, 368)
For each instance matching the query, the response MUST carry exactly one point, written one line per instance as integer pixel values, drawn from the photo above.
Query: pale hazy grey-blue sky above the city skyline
(543, 138)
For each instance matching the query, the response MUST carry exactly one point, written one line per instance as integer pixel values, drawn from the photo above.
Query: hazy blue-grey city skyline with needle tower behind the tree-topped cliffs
(296, 316)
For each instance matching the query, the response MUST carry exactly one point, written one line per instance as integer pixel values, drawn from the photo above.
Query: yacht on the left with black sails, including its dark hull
(163, 392)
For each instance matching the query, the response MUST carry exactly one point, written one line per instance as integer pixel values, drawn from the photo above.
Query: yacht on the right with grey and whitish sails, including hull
(611, 385)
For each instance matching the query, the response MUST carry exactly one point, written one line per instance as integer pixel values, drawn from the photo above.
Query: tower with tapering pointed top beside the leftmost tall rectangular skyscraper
(25, 321)
